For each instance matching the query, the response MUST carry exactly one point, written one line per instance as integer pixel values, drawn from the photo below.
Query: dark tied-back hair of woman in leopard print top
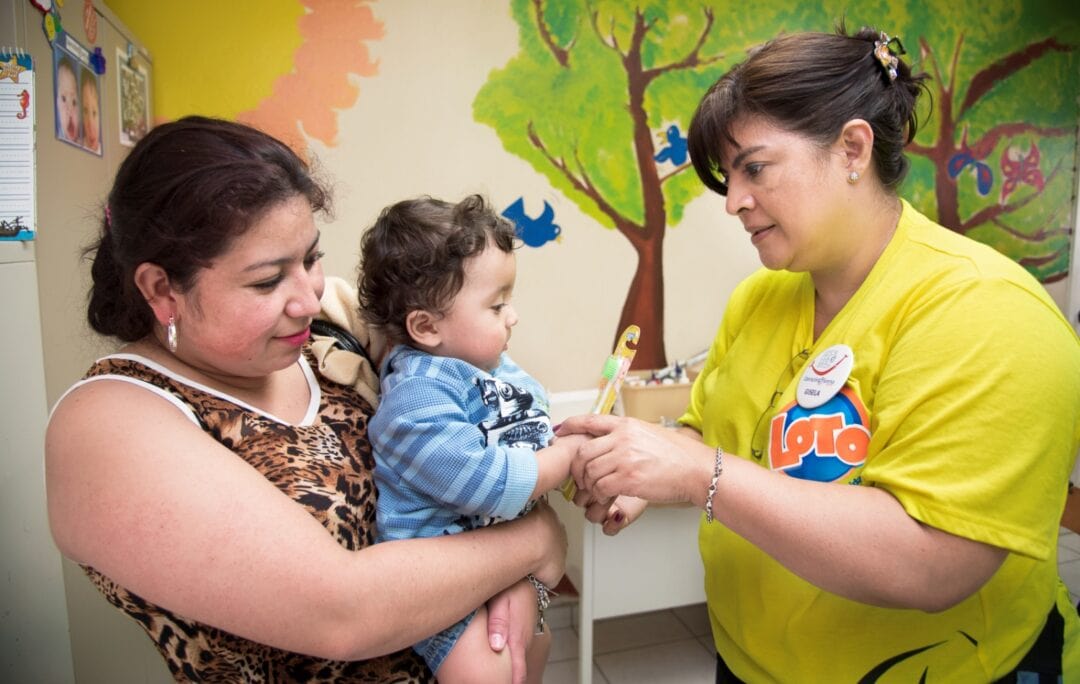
(184, 194)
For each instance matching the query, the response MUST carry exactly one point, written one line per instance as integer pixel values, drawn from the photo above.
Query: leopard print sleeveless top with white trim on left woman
(325, 466)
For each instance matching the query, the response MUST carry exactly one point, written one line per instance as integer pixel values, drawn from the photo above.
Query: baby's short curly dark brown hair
(413, 258)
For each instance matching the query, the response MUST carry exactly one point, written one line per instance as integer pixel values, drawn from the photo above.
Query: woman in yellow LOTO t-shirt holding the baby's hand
(883, 433)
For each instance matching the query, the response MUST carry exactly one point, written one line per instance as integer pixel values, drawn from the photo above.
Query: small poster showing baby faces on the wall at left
(76, 96)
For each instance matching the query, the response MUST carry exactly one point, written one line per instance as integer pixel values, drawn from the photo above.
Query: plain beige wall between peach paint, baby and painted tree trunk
(412, 132)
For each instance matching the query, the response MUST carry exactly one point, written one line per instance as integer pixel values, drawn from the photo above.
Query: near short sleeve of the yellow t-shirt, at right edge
(977, 415)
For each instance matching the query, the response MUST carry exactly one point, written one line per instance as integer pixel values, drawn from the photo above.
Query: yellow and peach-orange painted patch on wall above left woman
(289, 68)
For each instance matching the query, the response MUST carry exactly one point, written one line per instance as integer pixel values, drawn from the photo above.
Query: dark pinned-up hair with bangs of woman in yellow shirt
(812, 85)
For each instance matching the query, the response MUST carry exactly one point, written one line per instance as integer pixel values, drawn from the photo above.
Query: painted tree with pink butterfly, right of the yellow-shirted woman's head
(996, 159)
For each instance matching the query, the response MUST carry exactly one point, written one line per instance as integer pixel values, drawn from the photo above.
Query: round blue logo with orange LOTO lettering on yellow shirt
(825, 444)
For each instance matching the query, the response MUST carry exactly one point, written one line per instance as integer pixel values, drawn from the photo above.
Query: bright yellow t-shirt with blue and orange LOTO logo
(963, 403)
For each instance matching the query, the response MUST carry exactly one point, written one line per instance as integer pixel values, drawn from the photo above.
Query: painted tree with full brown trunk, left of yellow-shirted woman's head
(591, 102)
